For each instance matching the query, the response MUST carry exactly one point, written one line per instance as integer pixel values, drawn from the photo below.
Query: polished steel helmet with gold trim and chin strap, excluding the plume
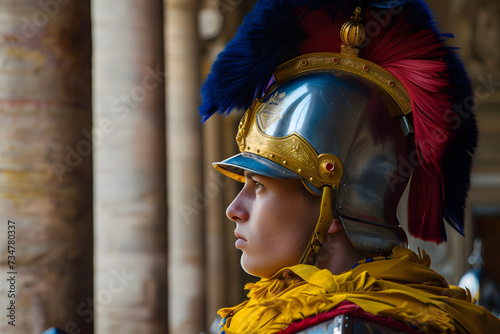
(338, 131)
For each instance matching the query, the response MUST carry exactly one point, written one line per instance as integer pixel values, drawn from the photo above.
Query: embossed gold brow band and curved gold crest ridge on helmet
(292, 151)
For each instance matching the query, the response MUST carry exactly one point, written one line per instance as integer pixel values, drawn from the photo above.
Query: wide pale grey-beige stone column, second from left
(130, 181)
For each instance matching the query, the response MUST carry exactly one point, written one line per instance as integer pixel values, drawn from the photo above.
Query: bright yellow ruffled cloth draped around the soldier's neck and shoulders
(402, 287)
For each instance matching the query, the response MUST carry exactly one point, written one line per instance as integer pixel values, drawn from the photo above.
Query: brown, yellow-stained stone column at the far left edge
(45, 166)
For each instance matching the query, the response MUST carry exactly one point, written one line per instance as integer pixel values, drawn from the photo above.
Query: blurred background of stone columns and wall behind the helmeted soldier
(114, 216)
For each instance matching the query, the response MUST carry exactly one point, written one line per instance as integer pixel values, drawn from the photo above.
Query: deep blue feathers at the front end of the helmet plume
(269, 35)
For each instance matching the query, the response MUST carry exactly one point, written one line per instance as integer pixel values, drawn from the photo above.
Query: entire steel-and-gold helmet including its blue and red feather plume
(352, 125)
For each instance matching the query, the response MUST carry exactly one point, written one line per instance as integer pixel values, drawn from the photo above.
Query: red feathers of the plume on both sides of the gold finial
(407, 45)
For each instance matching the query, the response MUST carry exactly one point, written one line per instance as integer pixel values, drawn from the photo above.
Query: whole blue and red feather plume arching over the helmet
(403, 39)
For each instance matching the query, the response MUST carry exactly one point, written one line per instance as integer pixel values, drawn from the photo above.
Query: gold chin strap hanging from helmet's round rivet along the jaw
(321, 231)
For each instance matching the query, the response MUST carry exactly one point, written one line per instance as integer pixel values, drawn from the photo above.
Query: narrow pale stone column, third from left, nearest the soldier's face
(186, 198)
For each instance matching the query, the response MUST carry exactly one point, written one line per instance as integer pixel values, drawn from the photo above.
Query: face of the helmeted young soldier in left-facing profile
(274, 222)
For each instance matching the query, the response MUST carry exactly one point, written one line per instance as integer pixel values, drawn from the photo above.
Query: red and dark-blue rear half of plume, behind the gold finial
(414, 52)
